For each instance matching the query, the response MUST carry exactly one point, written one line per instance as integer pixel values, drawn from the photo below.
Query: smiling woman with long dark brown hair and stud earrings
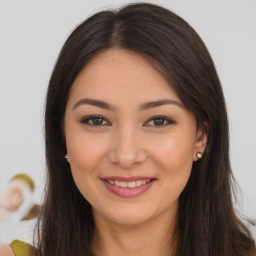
(137, 143)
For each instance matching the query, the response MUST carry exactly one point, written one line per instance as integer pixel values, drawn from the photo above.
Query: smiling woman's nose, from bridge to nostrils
(126, 148)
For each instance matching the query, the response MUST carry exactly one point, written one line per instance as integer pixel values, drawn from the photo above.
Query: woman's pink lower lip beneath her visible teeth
(128, 192)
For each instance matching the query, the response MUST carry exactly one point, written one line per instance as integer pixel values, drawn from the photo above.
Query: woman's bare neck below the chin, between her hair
(154, 237)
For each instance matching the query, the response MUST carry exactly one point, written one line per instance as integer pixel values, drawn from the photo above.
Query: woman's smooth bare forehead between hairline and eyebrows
(121, 74)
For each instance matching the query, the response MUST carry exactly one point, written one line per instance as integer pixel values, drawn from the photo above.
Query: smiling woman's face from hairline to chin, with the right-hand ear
(130, 141)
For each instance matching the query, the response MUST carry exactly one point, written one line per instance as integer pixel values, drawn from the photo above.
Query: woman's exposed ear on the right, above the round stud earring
(200, 142)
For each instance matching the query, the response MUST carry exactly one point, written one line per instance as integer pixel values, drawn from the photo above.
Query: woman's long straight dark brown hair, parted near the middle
(207, 224)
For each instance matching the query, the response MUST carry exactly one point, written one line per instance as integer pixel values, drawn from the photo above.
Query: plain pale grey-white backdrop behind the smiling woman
(32, 33)
